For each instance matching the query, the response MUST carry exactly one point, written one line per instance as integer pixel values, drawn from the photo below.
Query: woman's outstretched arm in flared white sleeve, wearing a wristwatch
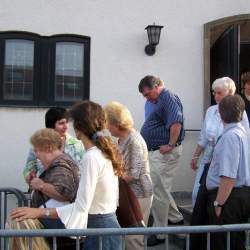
(75, 214)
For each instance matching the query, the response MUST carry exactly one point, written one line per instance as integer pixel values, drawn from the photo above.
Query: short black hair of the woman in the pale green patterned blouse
(55, 114)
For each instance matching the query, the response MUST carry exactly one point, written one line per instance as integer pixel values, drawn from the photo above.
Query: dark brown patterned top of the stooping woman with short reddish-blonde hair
(63, 173)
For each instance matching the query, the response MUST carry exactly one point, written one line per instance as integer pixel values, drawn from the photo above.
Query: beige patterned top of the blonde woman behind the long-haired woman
(135, 155)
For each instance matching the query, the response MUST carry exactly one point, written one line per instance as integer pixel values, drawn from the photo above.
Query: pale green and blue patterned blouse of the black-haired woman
(73, 147)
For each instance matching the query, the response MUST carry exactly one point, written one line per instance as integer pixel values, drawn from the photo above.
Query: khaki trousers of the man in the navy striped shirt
(162, 170)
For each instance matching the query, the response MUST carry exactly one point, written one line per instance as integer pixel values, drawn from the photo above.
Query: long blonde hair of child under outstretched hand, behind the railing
(22, 243)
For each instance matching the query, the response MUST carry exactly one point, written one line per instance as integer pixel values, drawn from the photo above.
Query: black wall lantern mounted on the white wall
(154, 33)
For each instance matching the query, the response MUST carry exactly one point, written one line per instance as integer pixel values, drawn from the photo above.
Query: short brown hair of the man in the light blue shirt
(231, 108)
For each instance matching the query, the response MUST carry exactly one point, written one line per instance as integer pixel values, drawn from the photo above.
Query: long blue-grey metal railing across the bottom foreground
(100, 232)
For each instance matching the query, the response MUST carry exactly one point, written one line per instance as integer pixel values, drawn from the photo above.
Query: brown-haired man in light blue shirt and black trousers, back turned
(228, 179)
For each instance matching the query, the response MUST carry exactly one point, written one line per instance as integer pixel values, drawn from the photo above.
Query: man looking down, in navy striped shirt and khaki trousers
(163, 132)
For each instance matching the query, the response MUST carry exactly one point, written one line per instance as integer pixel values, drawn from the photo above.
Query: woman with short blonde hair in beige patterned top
(135, 156)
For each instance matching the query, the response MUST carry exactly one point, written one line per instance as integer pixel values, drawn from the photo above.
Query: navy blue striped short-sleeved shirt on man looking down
(167, 111)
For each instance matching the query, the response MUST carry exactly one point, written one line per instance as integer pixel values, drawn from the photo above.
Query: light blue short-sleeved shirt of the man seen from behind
(230, 157)
